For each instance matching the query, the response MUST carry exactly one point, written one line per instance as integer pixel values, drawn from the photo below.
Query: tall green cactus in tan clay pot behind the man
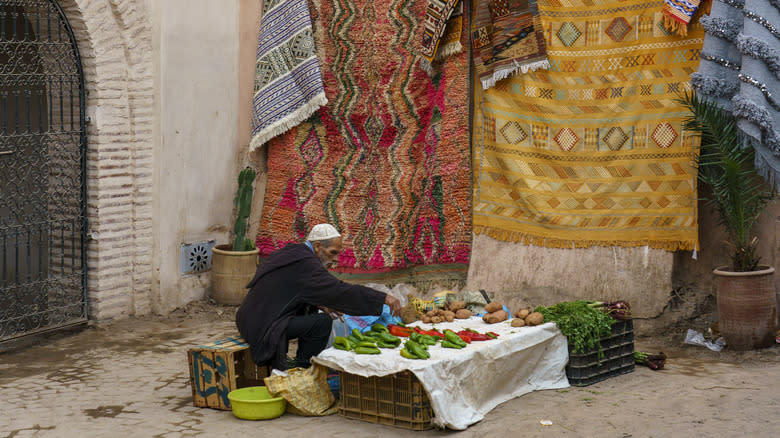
(233, 265)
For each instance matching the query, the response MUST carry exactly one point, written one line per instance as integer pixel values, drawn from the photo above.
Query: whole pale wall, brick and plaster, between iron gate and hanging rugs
(162, 82)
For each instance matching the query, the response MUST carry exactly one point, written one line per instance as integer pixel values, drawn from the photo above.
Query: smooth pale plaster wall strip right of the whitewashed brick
(198, 114)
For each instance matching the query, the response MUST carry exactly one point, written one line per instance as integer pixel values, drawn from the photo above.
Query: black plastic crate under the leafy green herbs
(587, 368)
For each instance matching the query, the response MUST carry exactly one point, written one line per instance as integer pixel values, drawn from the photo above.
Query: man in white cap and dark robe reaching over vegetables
(291, 283)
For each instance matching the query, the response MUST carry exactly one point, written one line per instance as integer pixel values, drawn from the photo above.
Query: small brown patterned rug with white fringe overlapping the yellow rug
(506, 38)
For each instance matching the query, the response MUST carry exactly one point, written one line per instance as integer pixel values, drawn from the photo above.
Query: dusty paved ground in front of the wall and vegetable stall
(130, 379)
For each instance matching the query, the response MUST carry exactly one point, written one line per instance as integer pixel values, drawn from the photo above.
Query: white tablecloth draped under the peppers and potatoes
(464, 385)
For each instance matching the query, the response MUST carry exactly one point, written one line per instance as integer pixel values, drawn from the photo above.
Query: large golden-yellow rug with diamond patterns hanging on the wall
(592, 151)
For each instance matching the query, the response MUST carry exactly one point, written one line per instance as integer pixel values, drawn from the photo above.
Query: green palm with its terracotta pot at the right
(745, 290)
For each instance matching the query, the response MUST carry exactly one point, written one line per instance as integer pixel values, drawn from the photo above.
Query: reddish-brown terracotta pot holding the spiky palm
(747, 311)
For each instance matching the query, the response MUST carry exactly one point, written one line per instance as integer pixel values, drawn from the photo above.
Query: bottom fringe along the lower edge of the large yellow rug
(547, 242)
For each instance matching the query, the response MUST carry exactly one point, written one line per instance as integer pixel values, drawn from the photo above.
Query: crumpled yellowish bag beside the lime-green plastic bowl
(306, 390)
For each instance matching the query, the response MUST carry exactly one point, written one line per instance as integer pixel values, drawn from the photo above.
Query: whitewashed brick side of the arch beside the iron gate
(115, 43)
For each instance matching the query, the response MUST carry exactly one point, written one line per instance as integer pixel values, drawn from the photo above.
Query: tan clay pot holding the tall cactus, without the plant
(231, 271)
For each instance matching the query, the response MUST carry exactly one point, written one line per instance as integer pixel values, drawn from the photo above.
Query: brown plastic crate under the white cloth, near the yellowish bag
(396, 400)
